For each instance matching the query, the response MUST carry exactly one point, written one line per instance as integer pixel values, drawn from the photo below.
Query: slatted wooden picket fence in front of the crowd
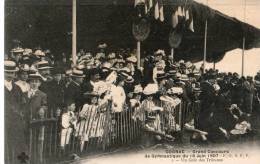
(118, 129)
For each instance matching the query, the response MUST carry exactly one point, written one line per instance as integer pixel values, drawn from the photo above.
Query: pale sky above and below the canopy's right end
(232, 62)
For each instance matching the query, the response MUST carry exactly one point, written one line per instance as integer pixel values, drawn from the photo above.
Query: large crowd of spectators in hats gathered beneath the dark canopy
(38, 86)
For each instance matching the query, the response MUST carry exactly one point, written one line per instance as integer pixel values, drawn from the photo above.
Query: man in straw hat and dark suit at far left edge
(15, 142)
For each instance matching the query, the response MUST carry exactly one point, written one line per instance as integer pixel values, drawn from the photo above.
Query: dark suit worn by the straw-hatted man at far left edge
(15, 141)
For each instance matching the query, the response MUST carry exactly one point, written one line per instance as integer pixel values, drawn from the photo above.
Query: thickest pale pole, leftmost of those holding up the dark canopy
(74, 31)
